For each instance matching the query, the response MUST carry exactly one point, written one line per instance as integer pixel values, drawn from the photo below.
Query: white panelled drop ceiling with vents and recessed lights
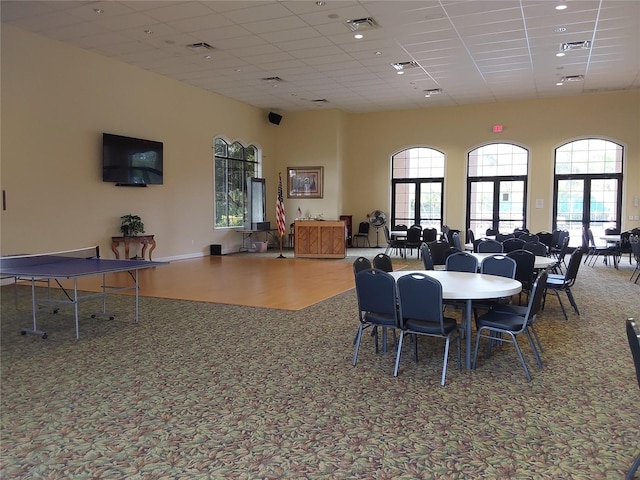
(302, 55)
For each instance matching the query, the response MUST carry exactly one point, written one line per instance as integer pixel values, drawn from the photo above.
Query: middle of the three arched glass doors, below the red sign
(497, 188)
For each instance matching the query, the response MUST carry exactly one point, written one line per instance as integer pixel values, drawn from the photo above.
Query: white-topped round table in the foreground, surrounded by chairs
(468, 287)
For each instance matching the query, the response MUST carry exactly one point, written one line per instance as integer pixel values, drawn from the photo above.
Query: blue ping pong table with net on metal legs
(70, 265)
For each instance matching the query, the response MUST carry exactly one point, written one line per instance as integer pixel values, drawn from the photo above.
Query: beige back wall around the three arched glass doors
(537, 125)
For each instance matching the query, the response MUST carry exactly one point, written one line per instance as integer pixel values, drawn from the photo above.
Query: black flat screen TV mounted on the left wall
(128, 161)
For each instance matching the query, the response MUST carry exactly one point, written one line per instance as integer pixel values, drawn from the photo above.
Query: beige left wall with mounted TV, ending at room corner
(57, 101)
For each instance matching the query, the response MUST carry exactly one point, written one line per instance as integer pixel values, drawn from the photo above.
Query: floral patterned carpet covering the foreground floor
(200, 390)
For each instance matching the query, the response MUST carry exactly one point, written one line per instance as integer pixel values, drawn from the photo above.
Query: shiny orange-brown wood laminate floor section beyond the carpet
(288, 284)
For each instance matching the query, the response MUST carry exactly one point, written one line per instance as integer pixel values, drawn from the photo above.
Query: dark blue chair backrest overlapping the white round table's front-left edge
(420, 298)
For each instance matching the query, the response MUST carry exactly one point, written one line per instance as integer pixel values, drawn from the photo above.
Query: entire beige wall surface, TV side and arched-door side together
(57, 100)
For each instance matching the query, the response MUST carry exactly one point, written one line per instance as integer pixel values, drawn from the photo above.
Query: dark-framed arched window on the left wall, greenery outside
(233, 164)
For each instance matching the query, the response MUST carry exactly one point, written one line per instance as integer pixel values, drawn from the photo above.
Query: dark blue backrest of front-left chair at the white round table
(376, 292)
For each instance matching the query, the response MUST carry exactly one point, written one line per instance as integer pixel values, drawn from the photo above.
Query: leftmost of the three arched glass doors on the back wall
(417, 182)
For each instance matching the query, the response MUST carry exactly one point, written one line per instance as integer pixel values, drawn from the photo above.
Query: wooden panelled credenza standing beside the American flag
(320, 239)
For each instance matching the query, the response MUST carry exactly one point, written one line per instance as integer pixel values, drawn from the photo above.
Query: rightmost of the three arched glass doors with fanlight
(587, 187)
